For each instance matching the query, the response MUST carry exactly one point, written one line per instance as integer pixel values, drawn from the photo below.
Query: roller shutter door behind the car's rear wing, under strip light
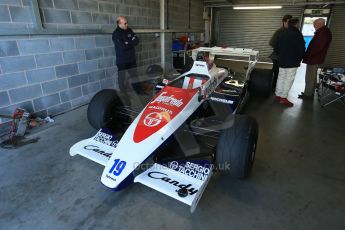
(249, 28)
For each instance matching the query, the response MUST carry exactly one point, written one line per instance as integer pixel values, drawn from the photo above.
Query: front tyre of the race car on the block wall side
(103, 110)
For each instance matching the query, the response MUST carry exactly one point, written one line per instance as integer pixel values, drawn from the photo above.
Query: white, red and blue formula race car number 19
(189, 129)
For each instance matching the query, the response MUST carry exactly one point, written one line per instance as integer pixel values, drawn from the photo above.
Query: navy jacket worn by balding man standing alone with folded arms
(125, 41)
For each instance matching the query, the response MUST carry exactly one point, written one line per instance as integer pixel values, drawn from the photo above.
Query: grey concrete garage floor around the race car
(298, 180)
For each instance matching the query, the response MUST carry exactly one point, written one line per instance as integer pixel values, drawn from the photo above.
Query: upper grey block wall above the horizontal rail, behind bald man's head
(80, 13)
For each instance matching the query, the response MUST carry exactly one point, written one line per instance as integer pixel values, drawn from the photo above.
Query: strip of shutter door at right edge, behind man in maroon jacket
(336, 52)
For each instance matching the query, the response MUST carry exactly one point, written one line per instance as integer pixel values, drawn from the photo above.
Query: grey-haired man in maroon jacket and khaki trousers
(315, 55)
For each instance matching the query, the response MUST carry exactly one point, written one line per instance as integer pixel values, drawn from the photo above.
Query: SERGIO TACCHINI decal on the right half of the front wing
(190, 169)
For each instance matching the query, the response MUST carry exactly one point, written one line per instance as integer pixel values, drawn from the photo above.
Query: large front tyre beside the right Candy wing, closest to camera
(236, 147)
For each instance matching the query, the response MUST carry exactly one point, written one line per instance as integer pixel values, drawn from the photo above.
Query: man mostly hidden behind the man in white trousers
(272, 43)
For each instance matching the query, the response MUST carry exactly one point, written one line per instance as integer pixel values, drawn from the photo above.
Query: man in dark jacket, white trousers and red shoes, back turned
(290, 50)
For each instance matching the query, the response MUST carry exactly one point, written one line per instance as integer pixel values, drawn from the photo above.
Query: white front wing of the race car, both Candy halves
(184, 181)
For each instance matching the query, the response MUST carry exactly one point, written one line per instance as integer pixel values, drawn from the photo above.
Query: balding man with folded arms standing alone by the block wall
(125, 40)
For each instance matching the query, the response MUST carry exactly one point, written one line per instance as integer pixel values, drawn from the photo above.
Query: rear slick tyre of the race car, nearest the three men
(260, 83)
